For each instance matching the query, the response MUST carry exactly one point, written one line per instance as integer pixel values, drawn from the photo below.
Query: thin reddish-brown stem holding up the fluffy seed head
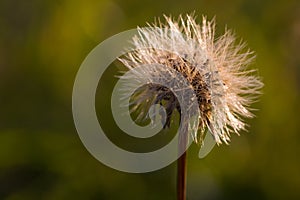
(181, 168)
